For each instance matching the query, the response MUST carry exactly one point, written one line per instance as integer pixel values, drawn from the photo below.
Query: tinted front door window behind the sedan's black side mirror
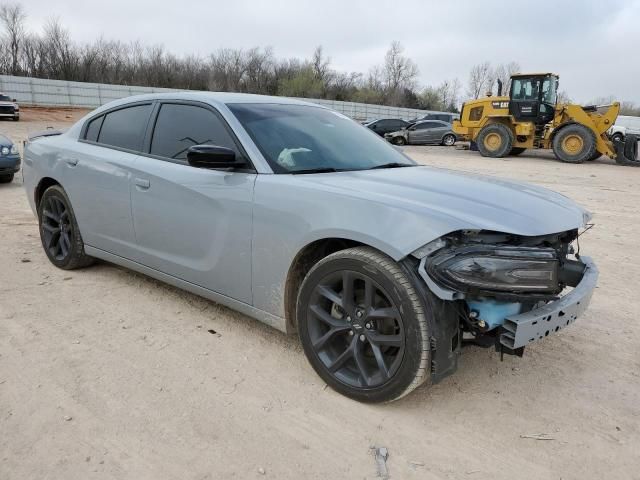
(178, 127)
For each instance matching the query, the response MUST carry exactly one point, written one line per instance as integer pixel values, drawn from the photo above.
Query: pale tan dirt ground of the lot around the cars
(107, 374)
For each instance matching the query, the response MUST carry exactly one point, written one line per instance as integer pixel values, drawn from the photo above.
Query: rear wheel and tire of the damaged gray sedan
(55, 215)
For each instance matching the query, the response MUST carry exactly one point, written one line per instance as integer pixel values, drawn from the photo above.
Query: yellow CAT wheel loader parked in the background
(530, 117)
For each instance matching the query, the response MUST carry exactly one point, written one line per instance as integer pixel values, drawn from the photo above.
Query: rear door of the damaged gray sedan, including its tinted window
(99, 176)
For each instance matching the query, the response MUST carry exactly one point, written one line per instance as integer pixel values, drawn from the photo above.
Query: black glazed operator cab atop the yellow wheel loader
(533, 97)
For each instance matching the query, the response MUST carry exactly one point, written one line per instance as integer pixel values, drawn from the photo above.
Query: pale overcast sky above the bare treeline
(592, 44)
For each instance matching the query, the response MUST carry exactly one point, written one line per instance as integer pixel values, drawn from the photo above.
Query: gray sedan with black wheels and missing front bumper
(299, 217)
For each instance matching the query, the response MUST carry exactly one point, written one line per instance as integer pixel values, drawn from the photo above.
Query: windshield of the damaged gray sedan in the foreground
(295, 138)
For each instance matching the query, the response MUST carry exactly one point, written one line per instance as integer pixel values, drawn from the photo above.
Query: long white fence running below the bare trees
(60, 93)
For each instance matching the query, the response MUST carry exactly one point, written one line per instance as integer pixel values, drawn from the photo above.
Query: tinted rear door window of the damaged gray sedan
(125, 128)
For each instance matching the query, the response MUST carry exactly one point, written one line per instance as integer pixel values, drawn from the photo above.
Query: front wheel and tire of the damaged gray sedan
(375, 353)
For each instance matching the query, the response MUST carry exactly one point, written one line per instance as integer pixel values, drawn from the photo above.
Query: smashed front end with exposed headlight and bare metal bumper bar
(508, 290)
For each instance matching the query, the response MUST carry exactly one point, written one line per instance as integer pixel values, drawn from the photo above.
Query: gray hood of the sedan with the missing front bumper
(454, 200)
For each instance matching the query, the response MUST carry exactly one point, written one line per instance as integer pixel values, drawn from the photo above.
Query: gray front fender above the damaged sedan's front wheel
(284, 225)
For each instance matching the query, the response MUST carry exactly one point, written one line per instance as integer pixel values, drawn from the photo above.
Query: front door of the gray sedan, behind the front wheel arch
(193, 223)
